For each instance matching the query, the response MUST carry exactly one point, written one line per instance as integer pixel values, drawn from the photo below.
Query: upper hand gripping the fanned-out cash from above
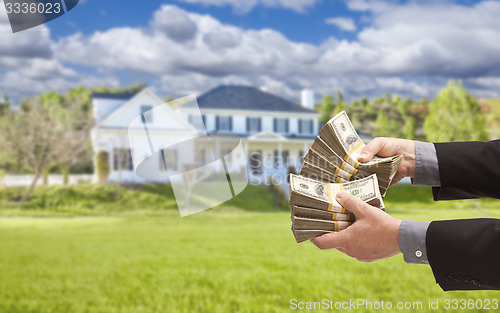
(387, 147)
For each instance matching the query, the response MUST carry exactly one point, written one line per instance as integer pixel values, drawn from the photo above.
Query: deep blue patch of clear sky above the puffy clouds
(306, 26)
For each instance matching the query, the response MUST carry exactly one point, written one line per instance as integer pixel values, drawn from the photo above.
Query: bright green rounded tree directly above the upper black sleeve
(455, 116)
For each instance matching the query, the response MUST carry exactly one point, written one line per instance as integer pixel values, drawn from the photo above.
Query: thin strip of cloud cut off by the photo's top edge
(247, 5)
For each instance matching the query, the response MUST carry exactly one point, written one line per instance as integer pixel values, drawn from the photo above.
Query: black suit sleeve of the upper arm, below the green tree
(468, 170)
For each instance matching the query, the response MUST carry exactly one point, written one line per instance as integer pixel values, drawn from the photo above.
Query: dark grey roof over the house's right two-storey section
(247, 98)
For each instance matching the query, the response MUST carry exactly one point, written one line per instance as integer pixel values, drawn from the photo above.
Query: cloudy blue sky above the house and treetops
(181, 47)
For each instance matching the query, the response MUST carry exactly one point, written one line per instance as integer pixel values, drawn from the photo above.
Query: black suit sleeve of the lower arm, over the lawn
(465, 254)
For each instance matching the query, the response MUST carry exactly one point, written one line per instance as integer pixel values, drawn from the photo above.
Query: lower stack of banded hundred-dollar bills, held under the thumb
(315, 211)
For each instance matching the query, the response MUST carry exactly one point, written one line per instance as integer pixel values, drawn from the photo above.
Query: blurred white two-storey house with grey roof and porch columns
(275, 132)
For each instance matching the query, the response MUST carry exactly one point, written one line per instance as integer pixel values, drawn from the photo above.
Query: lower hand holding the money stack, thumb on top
(373, 236)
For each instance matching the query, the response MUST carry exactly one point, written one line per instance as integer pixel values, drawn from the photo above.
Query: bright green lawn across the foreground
(209, 262)
